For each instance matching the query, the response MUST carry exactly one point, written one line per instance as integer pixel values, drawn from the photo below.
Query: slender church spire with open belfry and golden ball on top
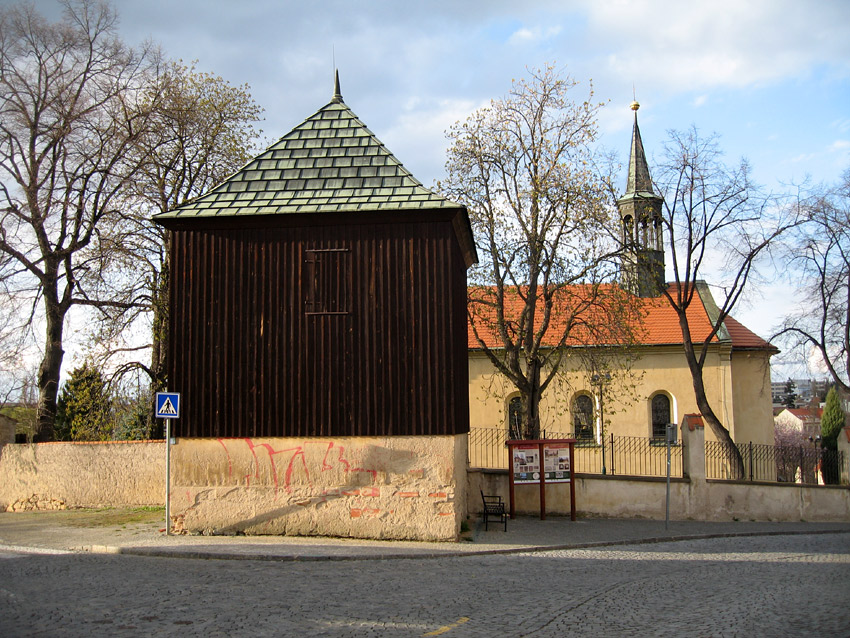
(642, 262)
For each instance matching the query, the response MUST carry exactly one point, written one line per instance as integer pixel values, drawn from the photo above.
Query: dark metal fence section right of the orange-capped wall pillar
(774, 463)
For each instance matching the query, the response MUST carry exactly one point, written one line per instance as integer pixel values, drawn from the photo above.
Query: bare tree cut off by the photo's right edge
(821, 262)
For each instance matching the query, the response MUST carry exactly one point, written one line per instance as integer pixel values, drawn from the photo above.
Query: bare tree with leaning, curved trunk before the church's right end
(715, 217)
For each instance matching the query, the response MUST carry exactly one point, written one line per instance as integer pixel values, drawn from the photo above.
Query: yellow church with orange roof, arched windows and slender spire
(656, 389)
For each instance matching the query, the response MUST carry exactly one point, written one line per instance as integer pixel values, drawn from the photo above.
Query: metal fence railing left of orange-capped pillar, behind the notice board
(618, 455)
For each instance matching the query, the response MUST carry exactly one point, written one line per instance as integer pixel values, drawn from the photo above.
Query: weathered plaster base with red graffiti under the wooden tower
(380, 488)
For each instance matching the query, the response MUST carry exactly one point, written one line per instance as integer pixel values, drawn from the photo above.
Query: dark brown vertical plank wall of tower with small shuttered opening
(326, 330)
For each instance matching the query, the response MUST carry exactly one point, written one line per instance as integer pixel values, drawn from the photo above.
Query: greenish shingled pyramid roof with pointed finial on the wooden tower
(330, 163)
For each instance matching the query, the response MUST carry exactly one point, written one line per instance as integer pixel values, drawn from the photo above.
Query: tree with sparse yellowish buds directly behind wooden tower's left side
(202, 130)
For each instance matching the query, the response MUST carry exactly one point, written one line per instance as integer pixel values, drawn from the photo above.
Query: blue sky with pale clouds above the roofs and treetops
(770, 77)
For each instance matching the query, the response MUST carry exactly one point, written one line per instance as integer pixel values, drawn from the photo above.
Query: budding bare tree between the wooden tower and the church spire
(524, 167)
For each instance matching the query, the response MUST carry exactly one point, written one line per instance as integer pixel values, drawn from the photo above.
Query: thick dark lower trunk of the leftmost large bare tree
(50, 368)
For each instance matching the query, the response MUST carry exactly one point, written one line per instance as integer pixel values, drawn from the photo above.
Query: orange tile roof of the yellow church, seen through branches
(660, 325)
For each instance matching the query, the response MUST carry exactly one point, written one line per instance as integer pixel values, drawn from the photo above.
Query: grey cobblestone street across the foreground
(744, 586)
